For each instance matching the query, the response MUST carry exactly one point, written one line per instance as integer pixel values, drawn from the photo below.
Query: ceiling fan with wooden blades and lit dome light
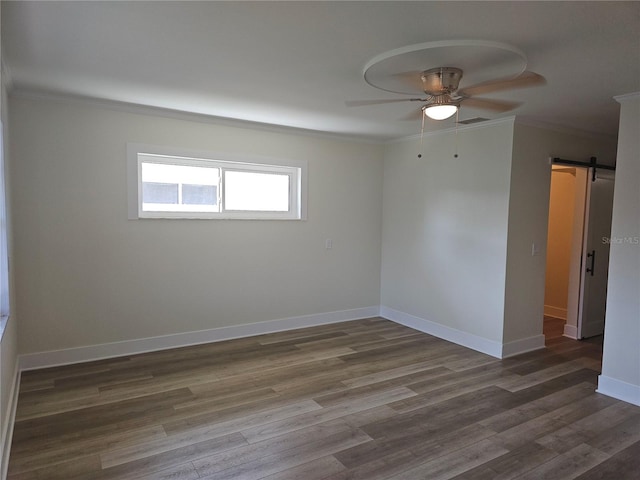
(444, 97)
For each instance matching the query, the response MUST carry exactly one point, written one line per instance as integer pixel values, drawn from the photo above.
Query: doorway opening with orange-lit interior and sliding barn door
(580, 206)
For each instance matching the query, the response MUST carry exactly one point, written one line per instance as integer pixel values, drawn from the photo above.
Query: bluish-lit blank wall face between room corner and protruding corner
(444, 236)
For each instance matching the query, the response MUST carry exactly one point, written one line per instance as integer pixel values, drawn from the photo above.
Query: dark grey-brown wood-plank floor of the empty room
(367, 399)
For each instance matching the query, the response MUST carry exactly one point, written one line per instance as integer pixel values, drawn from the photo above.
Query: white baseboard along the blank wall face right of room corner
(459, 337)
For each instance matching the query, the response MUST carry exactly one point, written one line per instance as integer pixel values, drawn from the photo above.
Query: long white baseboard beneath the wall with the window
(88, 353)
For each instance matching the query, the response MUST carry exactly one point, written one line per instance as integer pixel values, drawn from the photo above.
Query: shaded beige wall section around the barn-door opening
(528, 221)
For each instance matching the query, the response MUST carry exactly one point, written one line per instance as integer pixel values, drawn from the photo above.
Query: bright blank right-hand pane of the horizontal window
(249, 191)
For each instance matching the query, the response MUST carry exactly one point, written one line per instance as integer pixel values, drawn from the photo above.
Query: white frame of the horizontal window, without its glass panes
(296, 170)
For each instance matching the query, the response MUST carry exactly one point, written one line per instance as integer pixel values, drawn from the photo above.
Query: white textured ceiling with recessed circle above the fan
(296, 63)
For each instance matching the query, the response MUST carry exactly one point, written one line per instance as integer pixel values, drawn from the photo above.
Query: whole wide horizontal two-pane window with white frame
(171, 184)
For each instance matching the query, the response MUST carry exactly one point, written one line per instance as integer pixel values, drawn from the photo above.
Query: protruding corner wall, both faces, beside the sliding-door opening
(458, 233)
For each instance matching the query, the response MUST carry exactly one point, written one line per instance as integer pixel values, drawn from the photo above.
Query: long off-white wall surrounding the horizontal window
(86, 275)
